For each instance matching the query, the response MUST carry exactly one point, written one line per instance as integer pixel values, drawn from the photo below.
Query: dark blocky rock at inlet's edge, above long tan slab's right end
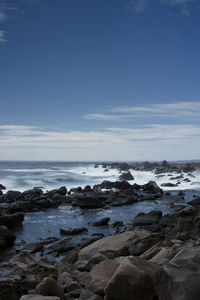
(150, 218)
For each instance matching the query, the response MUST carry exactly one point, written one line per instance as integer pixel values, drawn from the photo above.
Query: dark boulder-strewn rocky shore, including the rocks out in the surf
(154, 257)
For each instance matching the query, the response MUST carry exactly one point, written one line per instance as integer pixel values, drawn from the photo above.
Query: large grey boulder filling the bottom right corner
(183, 276)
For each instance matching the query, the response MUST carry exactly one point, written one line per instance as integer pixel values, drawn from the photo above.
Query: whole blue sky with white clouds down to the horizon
(99, 80)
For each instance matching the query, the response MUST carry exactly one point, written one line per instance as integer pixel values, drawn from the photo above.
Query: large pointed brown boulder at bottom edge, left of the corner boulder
(134, 279)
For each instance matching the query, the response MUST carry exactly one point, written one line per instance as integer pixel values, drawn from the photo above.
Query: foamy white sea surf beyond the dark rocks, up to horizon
(21, 176)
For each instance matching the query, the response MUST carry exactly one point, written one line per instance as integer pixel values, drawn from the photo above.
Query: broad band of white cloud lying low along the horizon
(152, 142)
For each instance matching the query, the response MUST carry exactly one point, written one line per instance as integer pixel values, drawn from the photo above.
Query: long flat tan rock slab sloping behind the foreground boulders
(110, 246)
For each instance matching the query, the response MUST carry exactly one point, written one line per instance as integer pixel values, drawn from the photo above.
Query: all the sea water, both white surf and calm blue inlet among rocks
(22, 176)
